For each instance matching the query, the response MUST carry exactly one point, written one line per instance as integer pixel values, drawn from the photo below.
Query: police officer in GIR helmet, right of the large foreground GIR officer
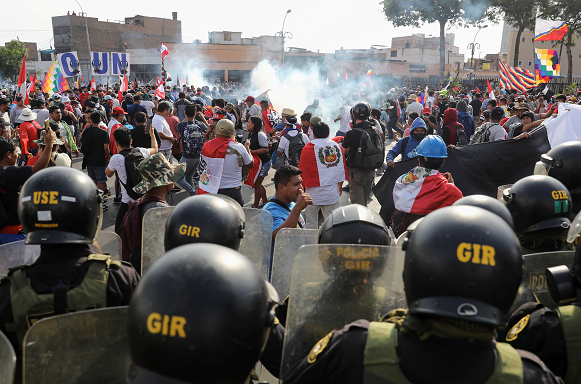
(540, 207)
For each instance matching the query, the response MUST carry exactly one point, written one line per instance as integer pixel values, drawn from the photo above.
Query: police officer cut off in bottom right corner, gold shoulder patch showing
(553, 334)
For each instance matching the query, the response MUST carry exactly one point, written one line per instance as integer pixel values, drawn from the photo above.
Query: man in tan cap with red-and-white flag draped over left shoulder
(224, 162)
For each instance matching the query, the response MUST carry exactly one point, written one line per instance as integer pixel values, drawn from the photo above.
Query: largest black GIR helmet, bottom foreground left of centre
(199, 307)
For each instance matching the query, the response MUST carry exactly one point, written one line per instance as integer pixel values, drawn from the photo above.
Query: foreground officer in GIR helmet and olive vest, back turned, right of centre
(462, 271)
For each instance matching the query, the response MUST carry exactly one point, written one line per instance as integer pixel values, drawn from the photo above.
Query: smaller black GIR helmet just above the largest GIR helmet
(216, 219)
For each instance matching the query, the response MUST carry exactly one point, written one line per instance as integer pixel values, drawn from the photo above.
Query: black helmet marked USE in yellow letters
(60, 205)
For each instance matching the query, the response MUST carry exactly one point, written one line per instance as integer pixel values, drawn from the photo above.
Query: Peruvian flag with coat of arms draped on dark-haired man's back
(322, 163)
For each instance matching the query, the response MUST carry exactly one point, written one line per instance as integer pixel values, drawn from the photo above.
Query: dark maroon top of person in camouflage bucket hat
(130, 231)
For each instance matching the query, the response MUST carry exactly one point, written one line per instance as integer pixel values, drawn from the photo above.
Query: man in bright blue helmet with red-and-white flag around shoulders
(423, 189)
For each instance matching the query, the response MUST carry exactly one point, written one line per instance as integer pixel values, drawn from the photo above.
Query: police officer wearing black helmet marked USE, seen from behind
(60, 209)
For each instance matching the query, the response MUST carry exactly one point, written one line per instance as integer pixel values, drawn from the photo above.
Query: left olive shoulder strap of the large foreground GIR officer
(380, 361)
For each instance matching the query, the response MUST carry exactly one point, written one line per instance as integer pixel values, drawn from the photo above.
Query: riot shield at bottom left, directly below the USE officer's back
(83, 347)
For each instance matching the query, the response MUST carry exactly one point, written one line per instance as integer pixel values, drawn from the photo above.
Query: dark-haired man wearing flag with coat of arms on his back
(324, 171)
